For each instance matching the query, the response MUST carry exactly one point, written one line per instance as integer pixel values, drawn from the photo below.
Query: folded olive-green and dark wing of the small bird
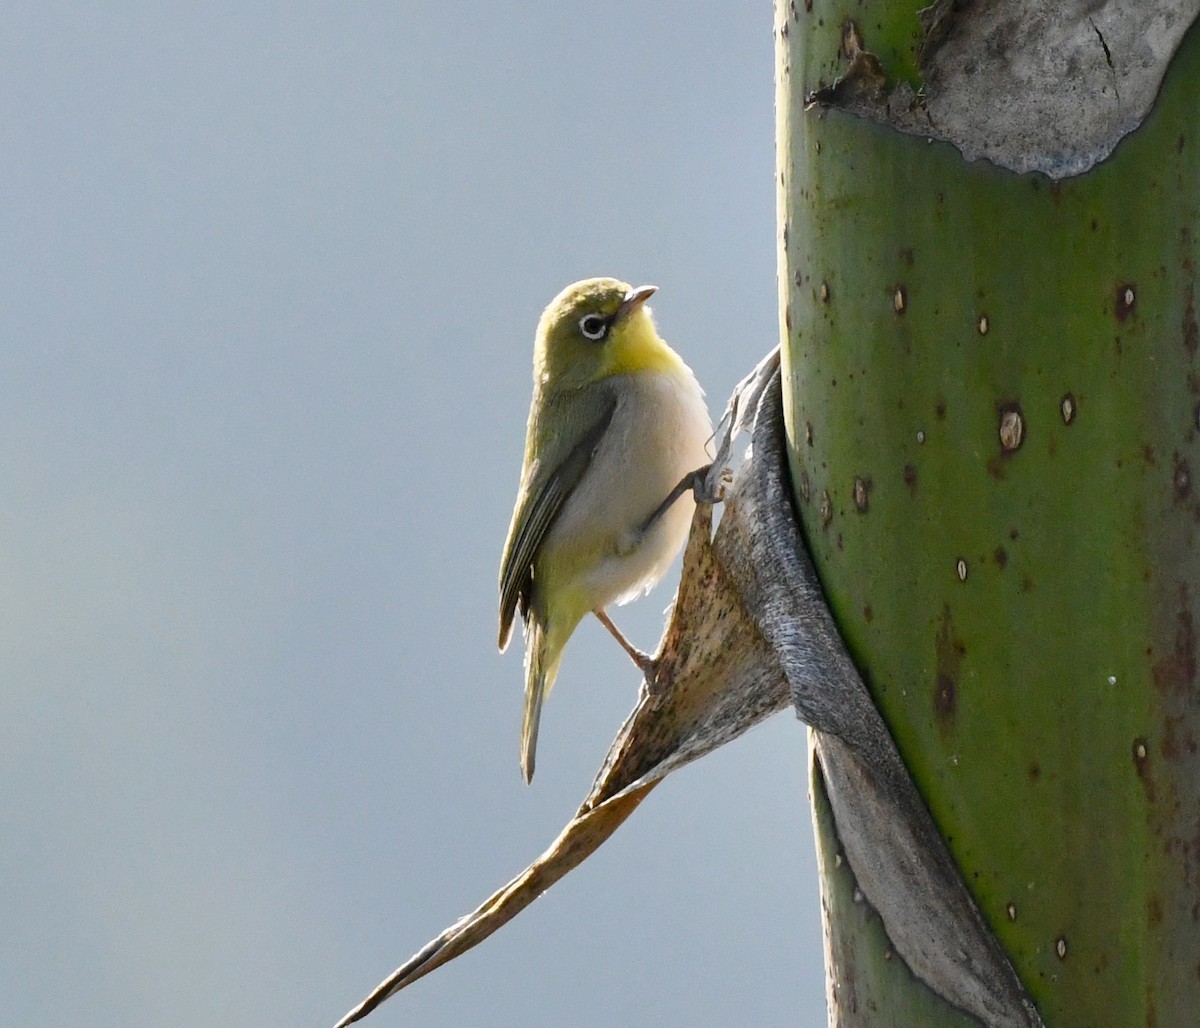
(548, 483)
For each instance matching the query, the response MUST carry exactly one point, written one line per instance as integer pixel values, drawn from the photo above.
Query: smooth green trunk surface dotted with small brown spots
(994, 393)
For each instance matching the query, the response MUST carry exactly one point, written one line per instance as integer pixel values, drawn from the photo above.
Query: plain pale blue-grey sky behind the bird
(271, 280)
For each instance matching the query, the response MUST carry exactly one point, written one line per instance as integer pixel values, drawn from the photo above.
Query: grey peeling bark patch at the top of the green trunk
(1031, 86)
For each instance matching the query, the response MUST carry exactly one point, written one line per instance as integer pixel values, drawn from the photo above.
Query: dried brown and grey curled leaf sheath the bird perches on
(749, 633)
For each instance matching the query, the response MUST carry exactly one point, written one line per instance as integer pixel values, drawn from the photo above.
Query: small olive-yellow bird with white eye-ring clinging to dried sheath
(616, 426)
